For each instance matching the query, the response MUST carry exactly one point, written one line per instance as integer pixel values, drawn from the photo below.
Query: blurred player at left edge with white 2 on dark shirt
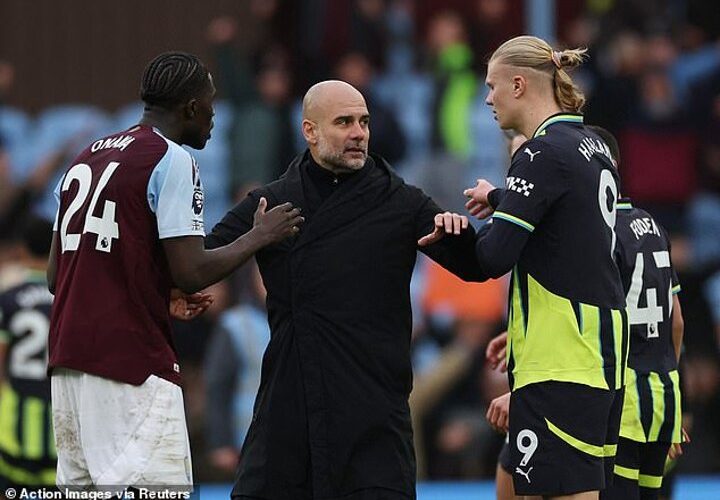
(27, 448)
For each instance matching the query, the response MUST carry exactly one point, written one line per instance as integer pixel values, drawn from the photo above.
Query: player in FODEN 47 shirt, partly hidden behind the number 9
(651, 417)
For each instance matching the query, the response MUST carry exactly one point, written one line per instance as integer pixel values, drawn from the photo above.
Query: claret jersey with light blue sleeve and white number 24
(120, 198)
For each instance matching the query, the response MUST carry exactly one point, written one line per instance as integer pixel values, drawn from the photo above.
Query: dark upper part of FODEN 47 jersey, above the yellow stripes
(643, 257)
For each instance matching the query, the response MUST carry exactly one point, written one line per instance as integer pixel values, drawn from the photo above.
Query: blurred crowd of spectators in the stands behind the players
(653, 79)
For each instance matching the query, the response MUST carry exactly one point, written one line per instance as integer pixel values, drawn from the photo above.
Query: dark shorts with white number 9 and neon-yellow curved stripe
(563, 437)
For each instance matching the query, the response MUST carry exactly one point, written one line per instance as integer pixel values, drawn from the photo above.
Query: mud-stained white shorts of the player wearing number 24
(110, 434)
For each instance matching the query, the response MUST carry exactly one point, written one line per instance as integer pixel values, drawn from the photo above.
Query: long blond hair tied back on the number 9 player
(536, 53)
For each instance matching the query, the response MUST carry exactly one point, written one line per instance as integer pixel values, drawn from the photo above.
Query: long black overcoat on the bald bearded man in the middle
(332, 414)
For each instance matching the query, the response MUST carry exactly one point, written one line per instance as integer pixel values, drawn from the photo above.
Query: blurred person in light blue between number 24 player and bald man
(232, 371)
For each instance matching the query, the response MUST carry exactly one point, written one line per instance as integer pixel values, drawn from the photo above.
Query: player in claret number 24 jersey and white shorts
(129, 228)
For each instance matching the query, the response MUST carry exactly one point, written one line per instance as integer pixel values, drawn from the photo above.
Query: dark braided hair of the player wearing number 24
(173, 78)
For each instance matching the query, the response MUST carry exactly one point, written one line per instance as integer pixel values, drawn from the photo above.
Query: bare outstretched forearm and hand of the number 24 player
(194, 268)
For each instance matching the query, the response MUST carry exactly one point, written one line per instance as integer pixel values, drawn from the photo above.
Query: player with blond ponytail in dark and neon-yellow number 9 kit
(554, 227)
